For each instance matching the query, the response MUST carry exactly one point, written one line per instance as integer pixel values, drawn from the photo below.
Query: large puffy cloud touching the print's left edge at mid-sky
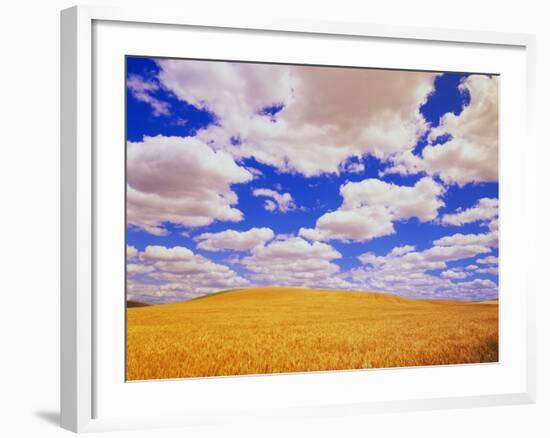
(180, 180)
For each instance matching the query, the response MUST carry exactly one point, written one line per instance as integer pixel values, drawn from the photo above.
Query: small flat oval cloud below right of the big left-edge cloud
(235, 240)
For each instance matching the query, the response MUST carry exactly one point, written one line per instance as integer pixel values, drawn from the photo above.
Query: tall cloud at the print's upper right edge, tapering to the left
(470, 155)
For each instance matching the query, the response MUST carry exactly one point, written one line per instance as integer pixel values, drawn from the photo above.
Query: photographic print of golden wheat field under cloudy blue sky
(297, 218)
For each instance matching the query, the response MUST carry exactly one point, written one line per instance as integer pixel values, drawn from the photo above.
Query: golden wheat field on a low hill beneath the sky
(280, 330)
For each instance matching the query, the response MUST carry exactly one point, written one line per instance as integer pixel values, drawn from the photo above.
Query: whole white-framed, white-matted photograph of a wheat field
(282, 219)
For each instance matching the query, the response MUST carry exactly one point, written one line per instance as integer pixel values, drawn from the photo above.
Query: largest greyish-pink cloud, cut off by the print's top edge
(327, 115)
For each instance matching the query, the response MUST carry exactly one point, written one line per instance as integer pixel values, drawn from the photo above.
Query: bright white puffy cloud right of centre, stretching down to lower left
(370, 207)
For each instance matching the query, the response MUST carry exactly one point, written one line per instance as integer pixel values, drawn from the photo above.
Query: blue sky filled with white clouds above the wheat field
(318, 174)
